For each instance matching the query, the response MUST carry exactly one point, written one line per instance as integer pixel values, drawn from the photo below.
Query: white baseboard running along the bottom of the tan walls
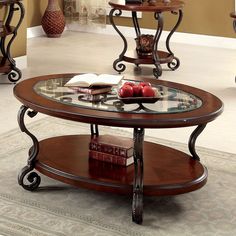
(177, 37)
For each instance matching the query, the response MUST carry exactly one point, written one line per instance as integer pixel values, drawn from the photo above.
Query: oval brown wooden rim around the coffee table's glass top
(210, 109)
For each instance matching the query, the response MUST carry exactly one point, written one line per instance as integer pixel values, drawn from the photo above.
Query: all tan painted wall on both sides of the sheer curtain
(209, 17)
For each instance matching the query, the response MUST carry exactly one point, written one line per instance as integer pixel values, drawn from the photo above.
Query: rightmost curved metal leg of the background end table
(174, 64)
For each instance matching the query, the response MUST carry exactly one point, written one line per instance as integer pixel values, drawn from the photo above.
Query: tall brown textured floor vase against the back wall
(53, 21)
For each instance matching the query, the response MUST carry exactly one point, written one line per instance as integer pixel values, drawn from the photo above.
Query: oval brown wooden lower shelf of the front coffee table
(166, 171)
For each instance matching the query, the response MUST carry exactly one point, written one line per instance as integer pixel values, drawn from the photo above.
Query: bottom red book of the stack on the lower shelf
(114, 159)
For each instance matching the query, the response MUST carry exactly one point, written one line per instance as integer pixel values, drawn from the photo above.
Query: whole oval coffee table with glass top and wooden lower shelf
(157, 169)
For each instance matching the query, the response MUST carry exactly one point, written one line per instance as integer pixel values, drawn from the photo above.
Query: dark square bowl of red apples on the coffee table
(138, 92)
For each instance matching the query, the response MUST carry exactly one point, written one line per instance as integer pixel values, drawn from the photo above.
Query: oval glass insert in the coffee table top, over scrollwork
(171, 101)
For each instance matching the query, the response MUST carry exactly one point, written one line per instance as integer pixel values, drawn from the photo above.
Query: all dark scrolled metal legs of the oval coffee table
(33, 179)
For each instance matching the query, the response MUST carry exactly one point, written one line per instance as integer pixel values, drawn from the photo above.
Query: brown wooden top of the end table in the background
(159, 6)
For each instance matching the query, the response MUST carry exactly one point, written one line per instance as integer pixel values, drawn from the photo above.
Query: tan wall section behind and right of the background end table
(208, 17)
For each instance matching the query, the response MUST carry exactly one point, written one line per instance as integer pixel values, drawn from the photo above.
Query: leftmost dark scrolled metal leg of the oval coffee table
(32, 177)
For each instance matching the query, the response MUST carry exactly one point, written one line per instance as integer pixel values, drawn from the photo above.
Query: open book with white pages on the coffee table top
(93, 80)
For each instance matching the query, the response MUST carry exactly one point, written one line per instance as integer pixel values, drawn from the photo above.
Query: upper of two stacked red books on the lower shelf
(114, 145)
